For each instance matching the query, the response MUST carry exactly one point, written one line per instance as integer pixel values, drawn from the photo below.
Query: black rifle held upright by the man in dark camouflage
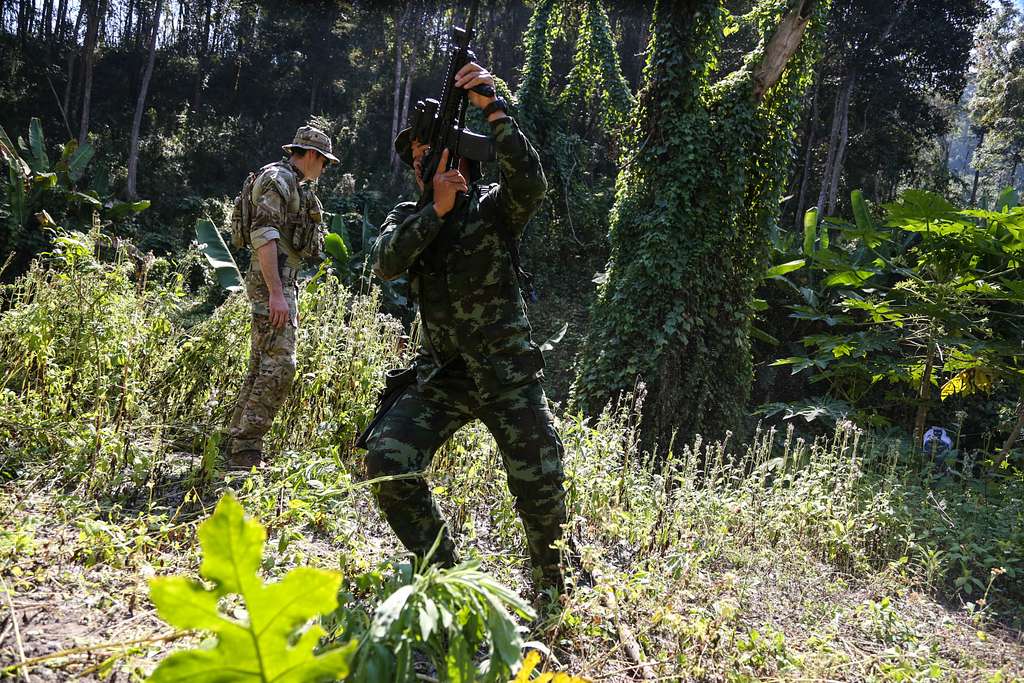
(441, 124)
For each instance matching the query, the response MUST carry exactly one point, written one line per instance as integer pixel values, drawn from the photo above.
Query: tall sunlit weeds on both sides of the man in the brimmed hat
(103, 380)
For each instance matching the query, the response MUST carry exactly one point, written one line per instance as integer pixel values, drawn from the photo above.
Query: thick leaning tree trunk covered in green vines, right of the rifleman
(703, 175)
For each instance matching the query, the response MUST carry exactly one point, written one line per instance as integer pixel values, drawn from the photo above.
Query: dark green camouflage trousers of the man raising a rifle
(424, 417)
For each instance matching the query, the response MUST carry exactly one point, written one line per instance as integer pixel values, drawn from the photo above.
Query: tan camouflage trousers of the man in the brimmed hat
(272, 367)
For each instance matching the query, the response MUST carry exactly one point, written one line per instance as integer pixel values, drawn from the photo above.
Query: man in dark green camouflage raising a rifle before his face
(478, 360)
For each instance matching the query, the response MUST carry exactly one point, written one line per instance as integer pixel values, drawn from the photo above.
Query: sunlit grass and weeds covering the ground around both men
(833, 561)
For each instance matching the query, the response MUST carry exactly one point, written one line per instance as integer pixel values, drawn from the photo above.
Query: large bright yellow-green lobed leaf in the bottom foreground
(255, 648)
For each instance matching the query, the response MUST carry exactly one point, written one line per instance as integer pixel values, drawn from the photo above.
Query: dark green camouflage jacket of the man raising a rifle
(461, 271)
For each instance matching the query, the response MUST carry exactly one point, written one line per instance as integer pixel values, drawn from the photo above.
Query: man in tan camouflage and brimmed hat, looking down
(286, 229)
